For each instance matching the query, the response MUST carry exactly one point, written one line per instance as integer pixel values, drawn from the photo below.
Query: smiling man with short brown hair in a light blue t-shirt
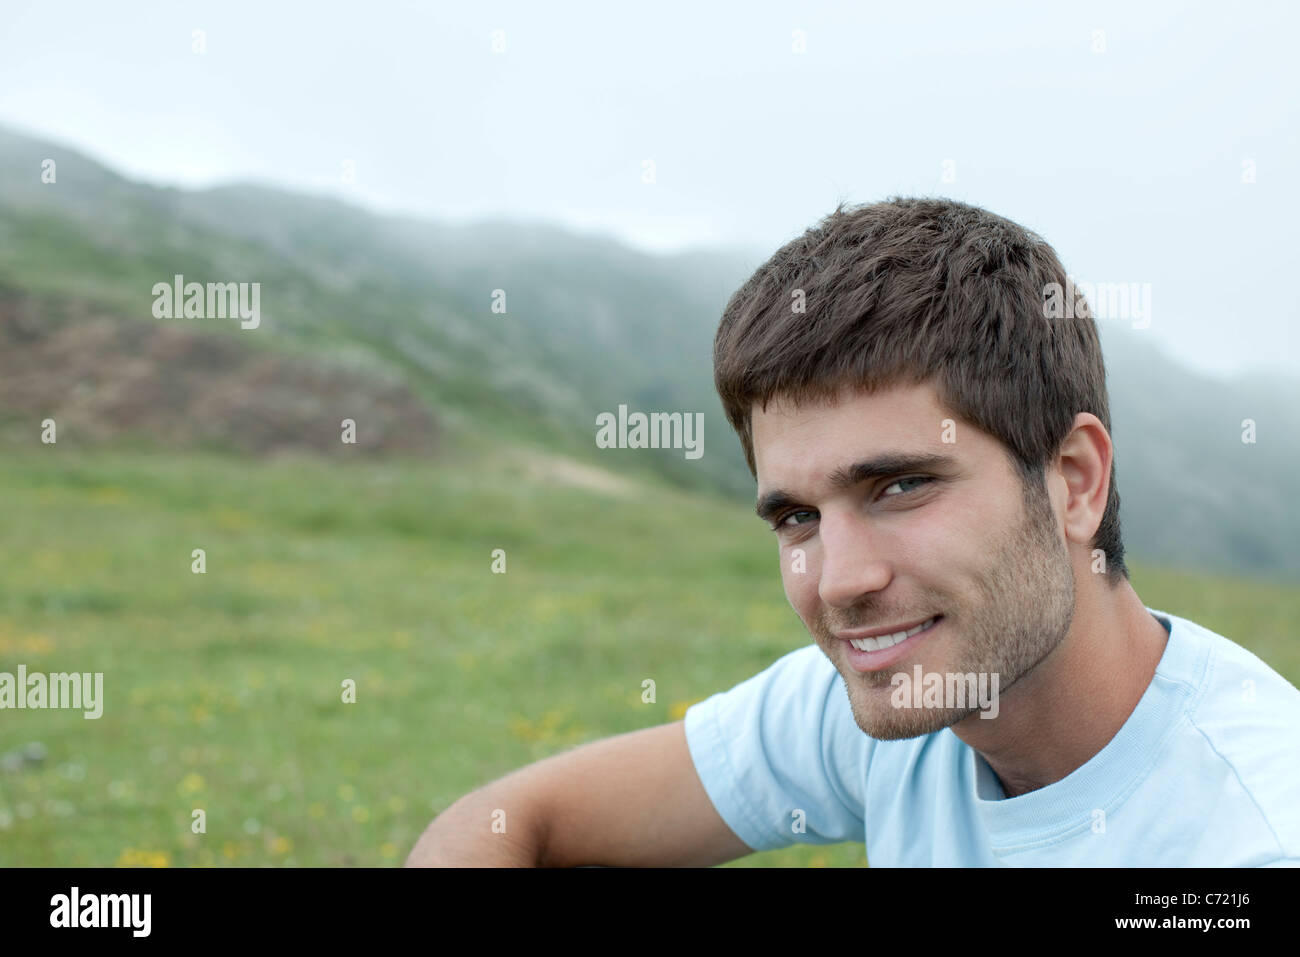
(933, 454)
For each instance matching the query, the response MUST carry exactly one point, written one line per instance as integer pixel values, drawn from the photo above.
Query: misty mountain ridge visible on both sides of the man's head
(391, 322)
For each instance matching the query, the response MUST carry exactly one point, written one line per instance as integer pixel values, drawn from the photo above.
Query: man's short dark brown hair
(920, 291)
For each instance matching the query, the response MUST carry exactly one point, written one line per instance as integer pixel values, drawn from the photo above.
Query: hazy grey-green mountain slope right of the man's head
(1193, 492)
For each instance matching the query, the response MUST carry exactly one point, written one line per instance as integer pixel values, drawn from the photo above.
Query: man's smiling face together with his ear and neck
(947, 560)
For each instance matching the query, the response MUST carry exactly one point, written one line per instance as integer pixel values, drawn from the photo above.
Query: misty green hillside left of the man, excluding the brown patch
(590, 324)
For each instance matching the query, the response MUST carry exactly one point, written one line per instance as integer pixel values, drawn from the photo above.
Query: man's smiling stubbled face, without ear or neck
(896, 527)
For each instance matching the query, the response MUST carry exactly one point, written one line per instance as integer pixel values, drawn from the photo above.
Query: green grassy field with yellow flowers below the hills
(223, 691)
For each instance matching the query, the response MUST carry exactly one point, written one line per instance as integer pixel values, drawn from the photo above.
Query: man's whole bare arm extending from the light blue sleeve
(627, 802)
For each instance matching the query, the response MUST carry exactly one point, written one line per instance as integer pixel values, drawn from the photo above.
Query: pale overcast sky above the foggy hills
(1123, 133)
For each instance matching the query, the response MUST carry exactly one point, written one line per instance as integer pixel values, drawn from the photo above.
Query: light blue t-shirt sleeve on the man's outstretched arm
(781, 755)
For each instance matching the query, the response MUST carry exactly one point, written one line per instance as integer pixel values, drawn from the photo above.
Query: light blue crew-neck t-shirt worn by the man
(1204, 773)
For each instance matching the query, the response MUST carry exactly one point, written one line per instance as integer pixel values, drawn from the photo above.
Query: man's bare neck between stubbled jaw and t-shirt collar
(1056, 718)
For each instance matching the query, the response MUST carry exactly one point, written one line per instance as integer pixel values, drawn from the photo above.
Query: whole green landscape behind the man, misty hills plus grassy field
(328, 562)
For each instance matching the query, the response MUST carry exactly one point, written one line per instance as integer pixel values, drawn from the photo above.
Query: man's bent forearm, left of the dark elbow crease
(497, 826)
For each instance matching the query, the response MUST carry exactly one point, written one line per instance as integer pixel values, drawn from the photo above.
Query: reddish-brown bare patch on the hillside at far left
(102, 379)
